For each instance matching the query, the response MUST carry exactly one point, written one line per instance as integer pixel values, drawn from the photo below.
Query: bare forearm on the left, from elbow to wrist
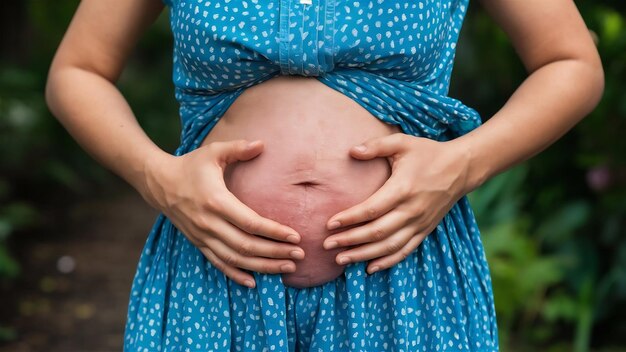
(98, 117)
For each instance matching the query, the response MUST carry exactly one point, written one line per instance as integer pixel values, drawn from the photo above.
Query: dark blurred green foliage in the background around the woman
(554, 227)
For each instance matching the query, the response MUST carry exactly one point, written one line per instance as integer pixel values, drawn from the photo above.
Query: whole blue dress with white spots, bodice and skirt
(394, 58)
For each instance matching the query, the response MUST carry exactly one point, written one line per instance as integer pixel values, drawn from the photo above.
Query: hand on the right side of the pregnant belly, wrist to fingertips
(427, 178)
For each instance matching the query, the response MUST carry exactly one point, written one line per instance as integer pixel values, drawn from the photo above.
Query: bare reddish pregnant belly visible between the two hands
(304, 174)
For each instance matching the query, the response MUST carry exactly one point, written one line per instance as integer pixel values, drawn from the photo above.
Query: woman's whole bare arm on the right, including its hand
(565, 83)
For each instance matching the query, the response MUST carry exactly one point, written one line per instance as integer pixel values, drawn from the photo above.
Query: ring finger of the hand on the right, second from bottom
(390, 245)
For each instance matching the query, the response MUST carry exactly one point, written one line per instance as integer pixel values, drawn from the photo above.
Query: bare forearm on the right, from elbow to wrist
(548, 103)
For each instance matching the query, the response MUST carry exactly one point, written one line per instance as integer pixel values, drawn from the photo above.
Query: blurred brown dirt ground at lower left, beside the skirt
(73, 292)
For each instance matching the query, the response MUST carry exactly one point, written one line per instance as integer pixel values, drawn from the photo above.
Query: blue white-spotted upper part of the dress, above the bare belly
(394, 58)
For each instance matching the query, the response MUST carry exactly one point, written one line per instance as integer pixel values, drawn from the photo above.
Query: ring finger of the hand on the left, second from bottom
(262, 265)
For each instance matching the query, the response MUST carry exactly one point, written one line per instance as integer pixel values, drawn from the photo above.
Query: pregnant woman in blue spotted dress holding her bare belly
(301, 239)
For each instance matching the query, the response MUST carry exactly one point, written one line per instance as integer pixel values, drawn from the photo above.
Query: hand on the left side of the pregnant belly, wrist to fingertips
(190, 190)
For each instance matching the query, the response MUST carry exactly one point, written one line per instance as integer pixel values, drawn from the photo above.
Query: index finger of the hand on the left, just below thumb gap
(240, 215)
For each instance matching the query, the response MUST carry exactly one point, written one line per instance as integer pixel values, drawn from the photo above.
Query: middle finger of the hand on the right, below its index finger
(373, 231)
